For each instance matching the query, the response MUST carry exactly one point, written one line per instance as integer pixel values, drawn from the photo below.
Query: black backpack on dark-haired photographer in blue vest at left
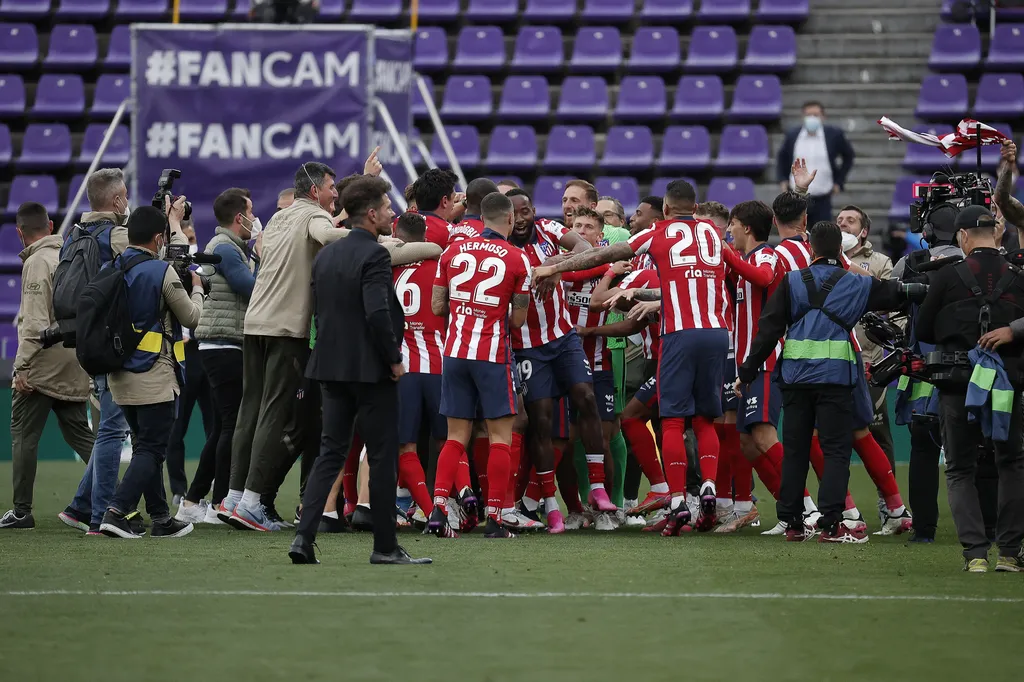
(107, 337)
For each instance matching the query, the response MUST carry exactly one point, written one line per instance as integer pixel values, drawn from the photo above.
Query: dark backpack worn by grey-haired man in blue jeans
(80, 263)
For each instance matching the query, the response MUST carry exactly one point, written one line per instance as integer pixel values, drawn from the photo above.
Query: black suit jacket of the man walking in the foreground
(359, 319)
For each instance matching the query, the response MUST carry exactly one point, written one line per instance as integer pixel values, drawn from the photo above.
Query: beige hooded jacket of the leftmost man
(55, 371)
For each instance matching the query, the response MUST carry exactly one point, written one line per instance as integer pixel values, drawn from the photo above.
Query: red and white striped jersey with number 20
(688, 254)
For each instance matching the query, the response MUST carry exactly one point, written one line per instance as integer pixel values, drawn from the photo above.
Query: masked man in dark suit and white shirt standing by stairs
(826, 150)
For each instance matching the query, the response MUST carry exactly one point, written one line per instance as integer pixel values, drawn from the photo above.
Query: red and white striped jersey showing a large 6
(424, 336)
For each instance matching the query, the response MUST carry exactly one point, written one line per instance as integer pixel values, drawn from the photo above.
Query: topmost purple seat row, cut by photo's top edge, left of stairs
(437, 11)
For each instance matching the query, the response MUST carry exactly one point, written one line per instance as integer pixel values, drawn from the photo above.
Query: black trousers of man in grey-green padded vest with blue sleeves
(224, 371)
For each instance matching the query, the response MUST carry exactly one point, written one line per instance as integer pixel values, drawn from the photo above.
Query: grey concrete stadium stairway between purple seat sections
(893, 41)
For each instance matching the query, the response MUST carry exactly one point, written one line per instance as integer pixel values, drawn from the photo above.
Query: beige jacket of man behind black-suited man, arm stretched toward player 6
(282, 301)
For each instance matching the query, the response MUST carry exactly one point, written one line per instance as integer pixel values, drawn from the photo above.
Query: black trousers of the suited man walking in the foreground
(371, 410)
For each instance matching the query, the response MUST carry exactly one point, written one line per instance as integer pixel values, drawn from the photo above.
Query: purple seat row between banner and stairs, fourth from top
(743, 149)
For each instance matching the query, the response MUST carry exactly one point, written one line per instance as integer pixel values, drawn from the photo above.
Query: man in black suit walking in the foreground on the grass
(358, 362)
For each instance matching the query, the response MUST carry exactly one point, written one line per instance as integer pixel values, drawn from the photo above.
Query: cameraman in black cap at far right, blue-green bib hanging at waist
(964, 303)
